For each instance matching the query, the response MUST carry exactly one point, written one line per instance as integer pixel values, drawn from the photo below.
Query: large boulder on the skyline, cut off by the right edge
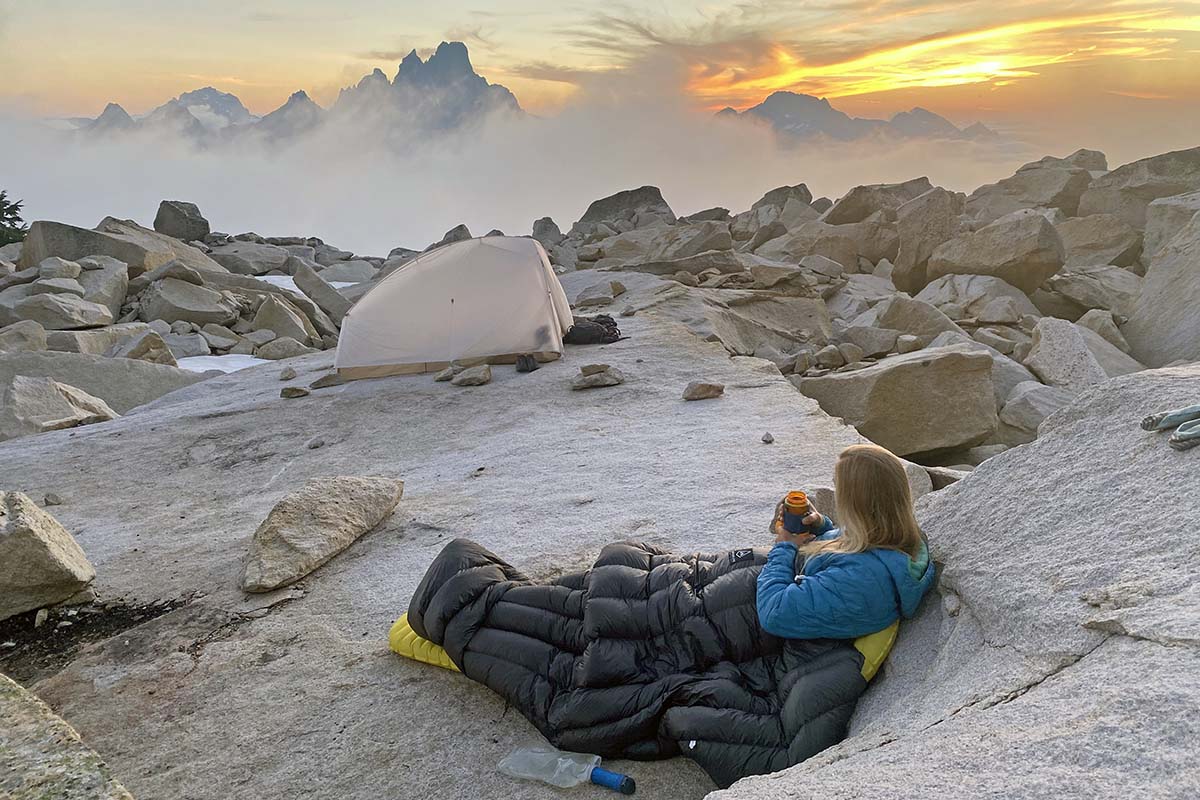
(1129, 190)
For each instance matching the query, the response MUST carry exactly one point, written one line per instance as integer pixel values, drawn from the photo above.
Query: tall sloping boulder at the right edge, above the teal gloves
(1163, 326)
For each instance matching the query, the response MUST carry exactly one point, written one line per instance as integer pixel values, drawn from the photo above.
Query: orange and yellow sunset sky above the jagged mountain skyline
(1004, 63)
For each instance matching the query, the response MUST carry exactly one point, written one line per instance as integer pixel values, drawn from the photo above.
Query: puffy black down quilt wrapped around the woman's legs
(646, 655)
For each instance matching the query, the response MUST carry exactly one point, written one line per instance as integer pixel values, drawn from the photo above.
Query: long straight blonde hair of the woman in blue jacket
(874, 504)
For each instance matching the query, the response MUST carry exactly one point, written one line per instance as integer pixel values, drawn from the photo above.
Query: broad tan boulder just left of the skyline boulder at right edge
(1034, 187)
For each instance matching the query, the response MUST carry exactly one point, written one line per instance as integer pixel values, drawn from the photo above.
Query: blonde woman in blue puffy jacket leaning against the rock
(856, 579)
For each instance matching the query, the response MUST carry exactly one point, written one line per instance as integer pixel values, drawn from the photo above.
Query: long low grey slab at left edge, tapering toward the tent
(122, 383)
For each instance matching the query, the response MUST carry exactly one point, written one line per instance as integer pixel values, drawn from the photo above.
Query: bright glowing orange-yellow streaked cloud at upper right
(999, 56)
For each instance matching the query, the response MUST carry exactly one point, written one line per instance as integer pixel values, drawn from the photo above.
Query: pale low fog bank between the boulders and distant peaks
(341, 185)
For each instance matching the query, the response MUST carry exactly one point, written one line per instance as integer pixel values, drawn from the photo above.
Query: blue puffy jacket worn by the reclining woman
(839, 596)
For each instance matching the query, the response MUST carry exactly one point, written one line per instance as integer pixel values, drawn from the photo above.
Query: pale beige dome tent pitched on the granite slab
(483, 299)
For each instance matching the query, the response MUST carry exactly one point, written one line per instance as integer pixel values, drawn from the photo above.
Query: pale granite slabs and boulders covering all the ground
(235, 548)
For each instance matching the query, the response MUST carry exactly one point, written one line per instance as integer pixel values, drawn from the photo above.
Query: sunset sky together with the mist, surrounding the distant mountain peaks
(622, 99)
